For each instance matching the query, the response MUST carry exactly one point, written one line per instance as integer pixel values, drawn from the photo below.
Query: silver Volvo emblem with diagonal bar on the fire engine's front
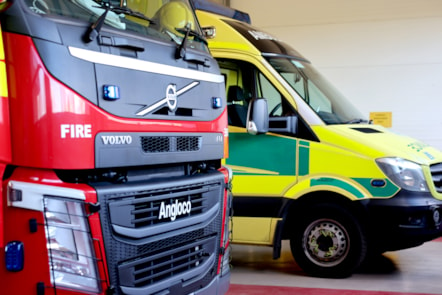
(171, 99)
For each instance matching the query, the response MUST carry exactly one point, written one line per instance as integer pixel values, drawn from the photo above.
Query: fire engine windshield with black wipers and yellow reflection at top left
(172, 20)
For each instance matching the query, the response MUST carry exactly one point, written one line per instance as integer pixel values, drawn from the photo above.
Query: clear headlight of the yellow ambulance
(405, 174)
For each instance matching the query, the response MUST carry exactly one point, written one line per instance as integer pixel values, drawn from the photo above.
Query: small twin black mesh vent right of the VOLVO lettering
(165, 144)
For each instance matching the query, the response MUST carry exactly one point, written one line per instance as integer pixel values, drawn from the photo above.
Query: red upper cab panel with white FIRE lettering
(41, 109)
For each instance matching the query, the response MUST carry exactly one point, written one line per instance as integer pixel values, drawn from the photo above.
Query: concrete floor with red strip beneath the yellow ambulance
(413, 271)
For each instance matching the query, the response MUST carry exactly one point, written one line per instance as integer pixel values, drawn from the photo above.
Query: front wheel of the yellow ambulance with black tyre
(329, 242)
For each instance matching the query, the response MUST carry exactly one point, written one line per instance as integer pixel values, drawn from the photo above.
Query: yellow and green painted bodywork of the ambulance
(340, 161)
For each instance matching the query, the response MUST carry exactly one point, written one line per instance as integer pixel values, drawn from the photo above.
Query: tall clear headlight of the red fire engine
(70, 246)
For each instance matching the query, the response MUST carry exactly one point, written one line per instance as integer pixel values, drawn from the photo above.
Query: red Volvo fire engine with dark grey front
(113, 128)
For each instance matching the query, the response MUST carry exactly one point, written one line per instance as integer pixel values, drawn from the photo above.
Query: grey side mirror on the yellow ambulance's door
(258, 116)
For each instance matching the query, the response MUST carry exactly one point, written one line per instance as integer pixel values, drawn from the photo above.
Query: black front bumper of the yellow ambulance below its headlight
(406, 220)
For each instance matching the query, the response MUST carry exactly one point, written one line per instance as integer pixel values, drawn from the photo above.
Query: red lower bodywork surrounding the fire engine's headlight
(28, 227)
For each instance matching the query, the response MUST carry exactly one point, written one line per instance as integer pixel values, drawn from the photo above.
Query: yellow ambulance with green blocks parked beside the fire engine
(309, 168)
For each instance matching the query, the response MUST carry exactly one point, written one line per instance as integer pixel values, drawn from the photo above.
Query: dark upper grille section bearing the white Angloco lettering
(160, 206)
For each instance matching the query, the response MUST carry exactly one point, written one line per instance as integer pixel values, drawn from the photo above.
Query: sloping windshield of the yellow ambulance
(330, 105)
